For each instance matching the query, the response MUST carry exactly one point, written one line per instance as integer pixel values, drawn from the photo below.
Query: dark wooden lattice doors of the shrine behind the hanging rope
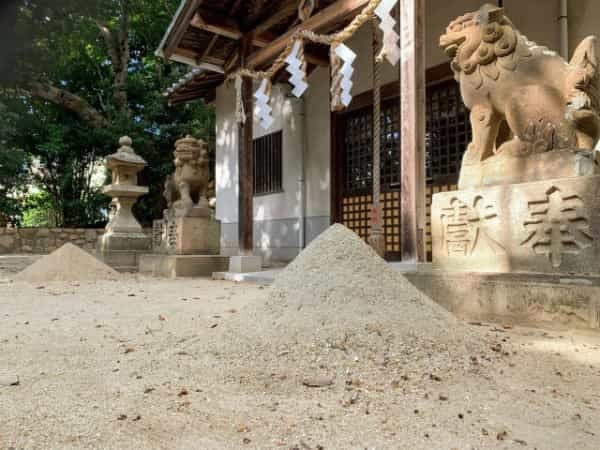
(448, 133)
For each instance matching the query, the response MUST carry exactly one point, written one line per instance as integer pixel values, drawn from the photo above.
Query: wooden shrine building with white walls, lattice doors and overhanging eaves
(313, 167)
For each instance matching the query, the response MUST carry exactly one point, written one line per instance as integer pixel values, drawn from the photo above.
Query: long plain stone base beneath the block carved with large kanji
(572, 301)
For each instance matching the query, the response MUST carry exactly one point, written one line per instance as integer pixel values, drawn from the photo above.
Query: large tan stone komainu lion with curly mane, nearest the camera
(523, 98)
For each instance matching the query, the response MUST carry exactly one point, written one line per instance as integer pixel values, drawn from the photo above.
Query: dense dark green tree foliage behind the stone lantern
(75, 76)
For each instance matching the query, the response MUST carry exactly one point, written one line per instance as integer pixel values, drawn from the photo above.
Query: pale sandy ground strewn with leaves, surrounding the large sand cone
(121, 365)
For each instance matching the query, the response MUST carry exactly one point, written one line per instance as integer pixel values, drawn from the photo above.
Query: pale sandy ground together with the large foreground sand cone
(324, 363)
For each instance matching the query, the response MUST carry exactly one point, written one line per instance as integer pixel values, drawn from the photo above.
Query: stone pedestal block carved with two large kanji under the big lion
(550, 226)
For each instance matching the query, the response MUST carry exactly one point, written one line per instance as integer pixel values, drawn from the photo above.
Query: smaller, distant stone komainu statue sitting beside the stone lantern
(186, 190)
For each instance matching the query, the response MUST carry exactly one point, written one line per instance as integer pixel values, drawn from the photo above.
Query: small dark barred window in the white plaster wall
(268, 164)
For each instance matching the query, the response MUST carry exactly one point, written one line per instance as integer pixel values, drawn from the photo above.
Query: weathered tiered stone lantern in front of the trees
(124, 239)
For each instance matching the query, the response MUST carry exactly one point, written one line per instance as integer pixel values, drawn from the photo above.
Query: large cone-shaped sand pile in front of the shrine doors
(339, 307)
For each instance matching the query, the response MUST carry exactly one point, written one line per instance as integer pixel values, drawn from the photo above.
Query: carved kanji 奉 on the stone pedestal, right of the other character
(557, 225)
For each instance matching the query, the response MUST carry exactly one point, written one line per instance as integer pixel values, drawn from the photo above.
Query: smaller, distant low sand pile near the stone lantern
(68, 263)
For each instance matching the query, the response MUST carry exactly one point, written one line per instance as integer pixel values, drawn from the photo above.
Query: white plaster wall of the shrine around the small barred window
(286, 111)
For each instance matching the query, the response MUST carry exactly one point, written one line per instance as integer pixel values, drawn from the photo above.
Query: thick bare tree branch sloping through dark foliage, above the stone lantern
(67, 100)
